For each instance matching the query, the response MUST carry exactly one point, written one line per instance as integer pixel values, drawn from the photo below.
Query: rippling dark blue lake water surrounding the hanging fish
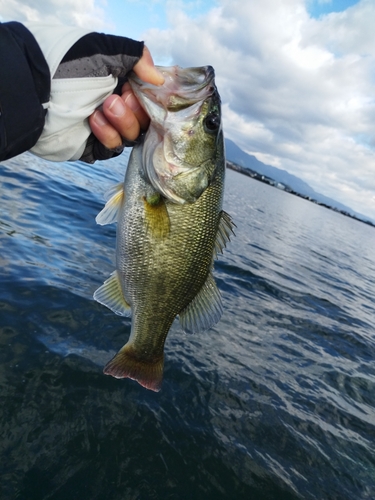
(276, 402)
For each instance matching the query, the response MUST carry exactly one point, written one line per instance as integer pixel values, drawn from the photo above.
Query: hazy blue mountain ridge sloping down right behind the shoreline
(236, 155)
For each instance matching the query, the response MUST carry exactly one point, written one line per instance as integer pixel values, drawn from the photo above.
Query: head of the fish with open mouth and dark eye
(183, 142)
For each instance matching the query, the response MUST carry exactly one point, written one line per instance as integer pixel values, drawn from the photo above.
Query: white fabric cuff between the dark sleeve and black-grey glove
(72, 100)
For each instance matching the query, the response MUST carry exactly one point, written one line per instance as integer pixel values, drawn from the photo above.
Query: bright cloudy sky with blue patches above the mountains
(296, 77)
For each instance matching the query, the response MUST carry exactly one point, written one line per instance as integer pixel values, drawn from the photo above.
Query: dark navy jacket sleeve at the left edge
(24, 87)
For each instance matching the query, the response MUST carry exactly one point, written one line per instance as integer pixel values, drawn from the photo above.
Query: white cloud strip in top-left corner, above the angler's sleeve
(84, 13)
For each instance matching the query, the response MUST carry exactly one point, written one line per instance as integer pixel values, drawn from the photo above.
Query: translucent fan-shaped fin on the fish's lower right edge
(205, 310)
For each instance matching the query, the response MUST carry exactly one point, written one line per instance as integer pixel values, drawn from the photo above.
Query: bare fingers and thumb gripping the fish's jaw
(122, 117)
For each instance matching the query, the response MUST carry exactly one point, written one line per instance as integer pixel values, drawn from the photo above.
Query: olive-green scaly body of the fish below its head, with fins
(164, 260)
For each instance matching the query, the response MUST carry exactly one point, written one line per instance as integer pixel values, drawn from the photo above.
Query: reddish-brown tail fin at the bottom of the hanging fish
(126, 364)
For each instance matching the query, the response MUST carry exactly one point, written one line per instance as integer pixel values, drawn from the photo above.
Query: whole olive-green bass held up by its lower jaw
(170, 221)
